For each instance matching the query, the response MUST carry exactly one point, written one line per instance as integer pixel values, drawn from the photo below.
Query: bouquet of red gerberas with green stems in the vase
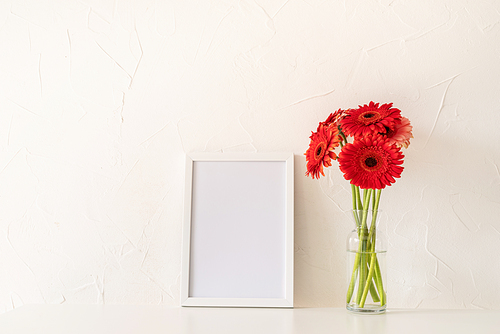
(370, 139)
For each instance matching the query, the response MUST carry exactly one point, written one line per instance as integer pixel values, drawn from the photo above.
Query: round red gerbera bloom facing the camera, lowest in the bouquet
(371, 162)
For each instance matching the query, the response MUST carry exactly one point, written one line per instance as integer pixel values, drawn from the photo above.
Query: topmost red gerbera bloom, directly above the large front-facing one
(370, 119)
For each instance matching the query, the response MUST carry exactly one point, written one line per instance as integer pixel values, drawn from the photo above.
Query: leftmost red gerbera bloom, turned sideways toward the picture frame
(320, 151)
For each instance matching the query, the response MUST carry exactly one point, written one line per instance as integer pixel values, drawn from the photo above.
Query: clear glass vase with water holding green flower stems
(366, 264)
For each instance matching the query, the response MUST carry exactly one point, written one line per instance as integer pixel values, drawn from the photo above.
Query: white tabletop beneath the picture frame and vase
(149, 319)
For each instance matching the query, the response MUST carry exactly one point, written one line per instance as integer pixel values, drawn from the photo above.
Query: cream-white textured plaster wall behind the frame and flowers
(101, 99)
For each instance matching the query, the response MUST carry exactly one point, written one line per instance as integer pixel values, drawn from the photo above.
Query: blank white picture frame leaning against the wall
(238, 230)
